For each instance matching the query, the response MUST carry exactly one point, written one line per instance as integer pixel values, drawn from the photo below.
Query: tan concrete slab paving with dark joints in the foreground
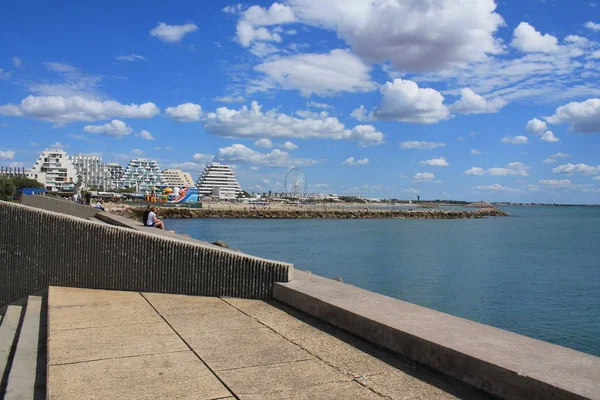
(130, 345)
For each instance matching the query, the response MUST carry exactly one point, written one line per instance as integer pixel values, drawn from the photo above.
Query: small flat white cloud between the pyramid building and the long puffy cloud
(276, 158)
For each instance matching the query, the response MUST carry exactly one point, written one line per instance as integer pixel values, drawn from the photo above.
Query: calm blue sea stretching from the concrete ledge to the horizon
(536, 273)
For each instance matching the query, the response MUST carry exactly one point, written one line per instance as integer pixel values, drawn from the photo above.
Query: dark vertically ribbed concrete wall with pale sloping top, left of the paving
(40, 248)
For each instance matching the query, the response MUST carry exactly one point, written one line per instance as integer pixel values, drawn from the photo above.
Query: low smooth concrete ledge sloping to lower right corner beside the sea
(499, 362)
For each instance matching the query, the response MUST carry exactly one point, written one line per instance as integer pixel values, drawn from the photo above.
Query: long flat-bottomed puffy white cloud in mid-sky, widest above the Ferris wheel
(254, 123)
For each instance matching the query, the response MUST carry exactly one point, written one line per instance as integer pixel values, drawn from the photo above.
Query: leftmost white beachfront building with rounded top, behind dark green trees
(55, 170)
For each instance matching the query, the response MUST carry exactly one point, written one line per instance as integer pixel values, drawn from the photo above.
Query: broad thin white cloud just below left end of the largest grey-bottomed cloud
(321, 74)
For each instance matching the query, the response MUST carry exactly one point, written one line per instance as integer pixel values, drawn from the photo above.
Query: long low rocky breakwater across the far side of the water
(137, 212)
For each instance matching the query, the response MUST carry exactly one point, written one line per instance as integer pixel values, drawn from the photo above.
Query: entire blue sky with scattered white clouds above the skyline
(385, 98)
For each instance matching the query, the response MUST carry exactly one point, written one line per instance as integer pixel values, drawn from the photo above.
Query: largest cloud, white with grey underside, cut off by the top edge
(412, 35)
